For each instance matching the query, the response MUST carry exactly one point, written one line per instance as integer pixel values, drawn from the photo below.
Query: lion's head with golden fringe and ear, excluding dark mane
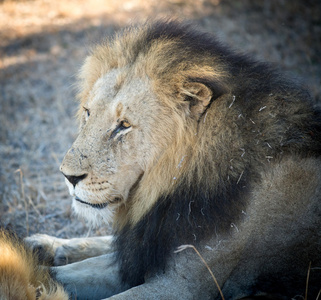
(139, 115)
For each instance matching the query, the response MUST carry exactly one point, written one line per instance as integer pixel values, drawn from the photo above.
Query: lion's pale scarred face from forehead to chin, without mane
(109, 155)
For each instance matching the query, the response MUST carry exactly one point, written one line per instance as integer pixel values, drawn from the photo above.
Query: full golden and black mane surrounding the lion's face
(255, 116)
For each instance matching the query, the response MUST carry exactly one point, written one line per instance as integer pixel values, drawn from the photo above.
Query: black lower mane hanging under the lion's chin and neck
(187, 217)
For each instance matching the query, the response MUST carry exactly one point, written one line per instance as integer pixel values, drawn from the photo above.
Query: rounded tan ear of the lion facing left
(199, 97)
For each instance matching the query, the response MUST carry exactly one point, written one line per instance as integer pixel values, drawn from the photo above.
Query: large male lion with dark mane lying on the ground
(183, 141)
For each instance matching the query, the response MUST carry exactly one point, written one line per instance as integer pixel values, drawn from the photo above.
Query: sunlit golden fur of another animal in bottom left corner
(21, 277)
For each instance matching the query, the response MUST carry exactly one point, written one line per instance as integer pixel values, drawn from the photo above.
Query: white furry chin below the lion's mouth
(94, 214)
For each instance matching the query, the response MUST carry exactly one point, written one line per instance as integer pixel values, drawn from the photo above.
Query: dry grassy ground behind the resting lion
(42, 45)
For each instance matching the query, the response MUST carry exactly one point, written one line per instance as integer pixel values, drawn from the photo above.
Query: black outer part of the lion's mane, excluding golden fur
(290, 125)
